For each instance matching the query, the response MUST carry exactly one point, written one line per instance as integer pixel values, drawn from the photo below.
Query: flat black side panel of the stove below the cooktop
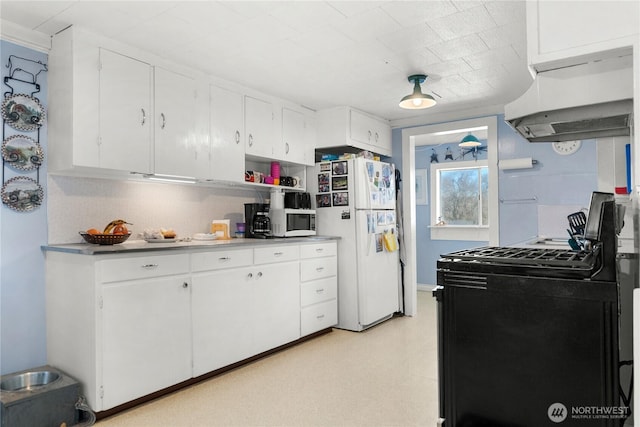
(512, 346)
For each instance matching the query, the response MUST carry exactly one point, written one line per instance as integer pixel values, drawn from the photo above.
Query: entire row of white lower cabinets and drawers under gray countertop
(128, 325)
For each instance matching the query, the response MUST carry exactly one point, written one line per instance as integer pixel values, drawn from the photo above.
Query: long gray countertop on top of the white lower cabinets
(143, 246)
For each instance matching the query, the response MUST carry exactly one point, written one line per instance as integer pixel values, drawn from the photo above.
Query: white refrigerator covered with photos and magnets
(355, 199)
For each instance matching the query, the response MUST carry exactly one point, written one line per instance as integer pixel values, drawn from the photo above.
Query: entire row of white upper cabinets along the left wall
(120, 110)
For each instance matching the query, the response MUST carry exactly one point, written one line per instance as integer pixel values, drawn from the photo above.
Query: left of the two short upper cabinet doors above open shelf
(259, 127)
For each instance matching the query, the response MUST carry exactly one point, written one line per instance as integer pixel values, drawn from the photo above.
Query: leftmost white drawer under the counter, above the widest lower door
(141, 267)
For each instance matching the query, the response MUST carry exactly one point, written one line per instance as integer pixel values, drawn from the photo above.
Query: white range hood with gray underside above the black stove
(590, 100)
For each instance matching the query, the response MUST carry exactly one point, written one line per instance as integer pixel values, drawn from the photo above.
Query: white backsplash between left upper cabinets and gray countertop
(76, 204)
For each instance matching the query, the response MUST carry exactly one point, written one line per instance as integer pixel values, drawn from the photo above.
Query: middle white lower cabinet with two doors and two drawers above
(240, 312)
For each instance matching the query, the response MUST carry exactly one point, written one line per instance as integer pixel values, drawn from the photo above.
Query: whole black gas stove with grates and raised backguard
(523, 329)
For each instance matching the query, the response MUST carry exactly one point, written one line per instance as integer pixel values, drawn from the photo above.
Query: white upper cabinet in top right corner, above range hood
(566, 33)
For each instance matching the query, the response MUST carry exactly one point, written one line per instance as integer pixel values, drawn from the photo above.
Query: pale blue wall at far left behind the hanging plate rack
(22, 289)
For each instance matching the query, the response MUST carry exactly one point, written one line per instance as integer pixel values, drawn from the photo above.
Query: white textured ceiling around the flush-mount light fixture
(321, 53)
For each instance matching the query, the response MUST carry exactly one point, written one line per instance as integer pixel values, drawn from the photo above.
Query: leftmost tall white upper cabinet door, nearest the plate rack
(125, 113)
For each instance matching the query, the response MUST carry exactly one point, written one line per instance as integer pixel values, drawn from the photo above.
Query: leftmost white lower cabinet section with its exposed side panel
(119, 324)
